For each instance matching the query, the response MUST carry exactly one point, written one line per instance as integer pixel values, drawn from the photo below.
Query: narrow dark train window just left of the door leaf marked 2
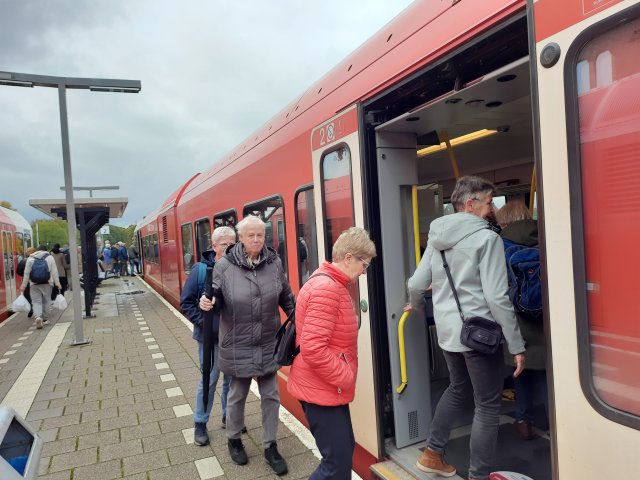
(307, 235)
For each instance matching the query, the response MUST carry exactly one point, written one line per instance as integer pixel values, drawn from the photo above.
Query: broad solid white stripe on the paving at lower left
(24, 390)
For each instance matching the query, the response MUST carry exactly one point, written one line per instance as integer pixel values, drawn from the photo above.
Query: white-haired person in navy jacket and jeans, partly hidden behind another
(222, 237)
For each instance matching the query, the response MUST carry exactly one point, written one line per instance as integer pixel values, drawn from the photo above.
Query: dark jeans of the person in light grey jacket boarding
(478, 376)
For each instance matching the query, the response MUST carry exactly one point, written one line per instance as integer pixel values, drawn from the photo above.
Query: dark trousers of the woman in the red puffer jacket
(332, 430)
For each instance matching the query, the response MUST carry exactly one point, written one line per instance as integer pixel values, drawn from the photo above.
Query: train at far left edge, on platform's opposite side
(17, 236)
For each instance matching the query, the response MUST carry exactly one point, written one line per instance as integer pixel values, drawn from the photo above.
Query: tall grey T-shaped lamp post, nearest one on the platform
(62, 84)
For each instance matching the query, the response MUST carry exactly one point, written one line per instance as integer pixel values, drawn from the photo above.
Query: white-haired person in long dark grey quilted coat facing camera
(249, 284)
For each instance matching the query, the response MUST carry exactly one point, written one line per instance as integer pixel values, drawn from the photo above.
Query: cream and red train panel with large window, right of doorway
(584, 57)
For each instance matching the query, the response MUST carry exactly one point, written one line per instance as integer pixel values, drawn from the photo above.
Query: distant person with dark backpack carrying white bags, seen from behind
(40, 288)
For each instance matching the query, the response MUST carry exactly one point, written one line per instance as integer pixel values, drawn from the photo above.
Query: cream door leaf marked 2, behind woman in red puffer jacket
(338, 199)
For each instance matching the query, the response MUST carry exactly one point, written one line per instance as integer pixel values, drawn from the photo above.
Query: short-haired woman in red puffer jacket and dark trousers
(323, 375)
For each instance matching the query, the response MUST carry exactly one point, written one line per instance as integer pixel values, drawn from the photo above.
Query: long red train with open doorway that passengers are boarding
(538, 97)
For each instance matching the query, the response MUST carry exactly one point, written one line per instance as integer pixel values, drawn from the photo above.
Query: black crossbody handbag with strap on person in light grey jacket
(478, 333)
